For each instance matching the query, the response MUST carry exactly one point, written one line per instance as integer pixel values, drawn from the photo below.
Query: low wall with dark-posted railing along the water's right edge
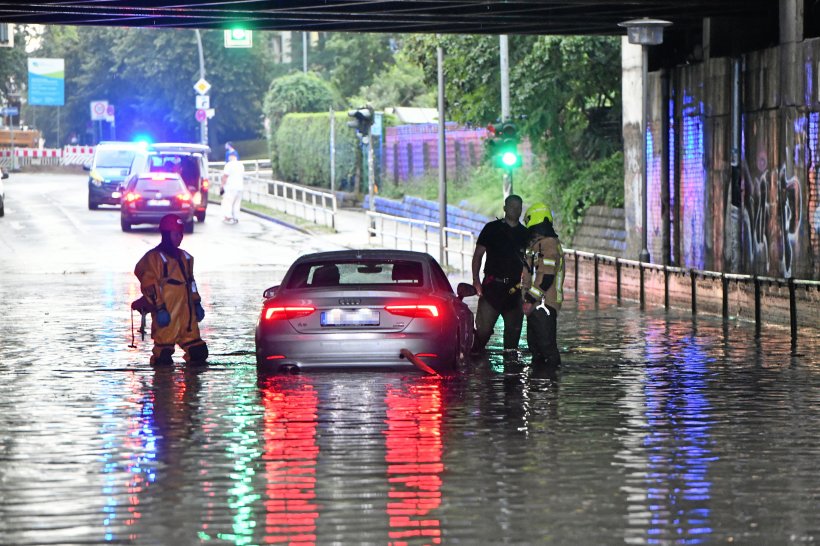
(737, 296)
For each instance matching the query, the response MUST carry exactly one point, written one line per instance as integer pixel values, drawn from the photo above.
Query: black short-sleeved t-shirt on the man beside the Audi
(505, 249)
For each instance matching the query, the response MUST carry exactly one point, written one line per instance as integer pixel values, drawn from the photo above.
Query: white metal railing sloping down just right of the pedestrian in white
(314, 205)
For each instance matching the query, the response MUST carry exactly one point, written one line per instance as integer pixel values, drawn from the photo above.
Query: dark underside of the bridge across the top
(405, 16)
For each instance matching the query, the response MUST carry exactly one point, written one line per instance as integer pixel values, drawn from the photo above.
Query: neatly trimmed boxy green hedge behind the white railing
(302, 142)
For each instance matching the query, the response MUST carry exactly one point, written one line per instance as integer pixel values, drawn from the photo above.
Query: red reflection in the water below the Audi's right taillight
(414, 467)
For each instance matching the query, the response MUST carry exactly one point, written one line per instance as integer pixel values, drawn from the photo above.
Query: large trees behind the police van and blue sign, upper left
(148, 75)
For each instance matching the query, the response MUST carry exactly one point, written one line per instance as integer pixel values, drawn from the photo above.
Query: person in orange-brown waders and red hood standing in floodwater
(166, 275)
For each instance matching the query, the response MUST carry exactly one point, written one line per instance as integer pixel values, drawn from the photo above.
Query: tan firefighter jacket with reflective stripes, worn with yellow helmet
(543, 278)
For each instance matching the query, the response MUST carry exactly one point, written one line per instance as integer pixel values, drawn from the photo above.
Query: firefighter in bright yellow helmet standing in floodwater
(542, 285)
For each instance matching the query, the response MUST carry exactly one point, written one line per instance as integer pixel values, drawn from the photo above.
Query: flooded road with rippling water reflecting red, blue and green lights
(657, 430)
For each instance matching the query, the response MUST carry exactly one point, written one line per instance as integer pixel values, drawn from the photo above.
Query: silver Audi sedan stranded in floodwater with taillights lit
(364, 308)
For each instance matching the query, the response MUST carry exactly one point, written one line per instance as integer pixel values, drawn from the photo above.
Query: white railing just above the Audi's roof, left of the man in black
(422, 235)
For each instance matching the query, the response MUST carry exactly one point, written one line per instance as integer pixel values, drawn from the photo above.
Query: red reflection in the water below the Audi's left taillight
(290, 462)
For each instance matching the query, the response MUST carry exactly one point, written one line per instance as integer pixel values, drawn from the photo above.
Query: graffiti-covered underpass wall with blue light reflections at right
(778, 217)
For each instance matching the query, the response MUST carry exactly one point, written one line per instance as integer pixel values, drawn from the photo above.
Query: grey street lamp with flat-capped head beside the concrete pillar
(645, 32)
